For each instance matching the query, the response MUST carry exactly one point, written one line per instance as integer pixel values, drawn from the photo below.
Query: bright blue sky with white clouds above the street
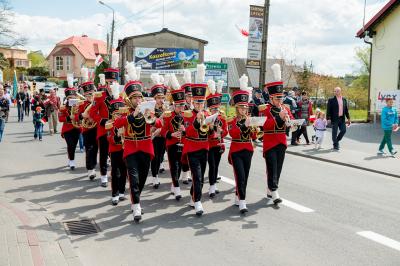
(318, 31)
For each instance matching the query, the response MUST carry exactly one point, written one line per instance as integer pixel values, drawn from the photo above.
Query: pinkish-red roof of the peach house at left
(88, 47)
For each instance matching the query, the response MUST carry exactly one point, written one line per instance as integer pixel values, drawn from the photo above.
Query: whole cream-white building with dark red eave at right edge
(384, 29)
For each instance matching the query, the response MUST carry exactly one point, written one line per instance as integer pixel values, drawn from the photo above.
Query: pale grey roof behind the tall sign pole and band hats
(237, 67)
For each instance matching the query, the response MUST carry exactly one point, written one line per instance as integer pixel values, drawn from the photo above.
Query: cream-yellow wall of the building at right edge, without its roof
(385, 56)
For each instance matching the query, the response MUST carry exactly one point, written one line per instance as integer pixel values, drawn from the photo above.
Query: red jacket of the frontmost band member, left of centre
(137, 134)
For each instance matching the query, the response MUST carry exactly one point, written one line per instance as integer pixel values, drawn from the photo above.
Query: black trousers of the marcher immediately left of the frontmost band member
(118, 173)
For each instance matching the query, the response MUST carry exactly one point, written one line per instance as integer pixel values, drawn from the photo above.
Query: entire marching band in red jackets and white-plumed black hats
(185, 121)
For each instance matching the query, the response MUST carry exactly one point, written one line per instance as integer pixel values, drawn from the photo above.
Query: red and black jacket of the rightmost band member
(274, 127)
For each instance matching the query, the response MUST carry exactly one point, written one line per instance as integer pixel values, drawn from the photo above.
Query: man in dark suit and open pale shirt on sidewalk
(336, 112)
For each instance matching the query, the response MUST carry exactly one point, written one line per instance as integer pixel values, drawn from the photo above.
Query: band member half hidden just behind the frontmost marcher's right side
(158, 92)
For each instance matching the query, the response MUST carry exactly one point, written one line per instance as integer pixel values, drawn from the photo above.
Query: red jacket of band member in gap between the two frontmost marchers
(172, 123)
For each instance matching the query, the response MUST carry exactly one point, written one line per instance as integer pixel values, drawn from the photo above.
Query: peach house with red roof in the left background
(69, 55)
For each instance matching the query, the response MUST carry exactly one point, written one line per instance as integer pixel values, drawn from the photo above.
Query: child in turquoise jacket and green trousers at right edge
(389, 123)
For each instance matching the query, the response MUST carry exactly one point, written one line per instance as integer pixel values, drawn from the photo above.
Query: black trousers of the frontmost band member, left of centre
(138, 165)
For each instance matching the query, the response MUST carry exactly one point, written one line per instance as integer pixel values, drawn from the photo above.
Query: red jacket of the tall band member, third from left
(100, 112)
